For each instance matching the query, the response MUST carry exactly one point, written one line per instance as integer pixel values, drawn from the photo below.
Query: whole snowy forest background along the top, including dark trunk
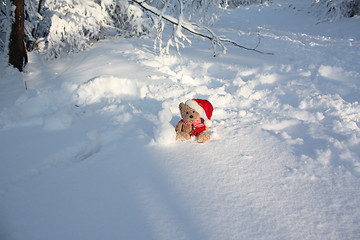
(60, 27)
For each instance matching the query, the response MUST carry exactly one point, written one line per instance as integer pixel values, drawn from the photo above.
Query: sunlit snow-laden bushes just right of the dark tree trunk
(59, 27)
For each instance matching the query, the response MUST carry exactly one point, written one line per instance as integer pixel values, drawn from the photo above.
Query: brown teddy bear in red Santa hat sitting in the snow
(192, 124)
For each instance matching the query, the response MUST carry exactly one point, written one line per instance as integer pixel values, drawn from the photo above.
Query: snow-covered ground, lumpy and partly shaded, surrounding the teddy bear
(88, 150)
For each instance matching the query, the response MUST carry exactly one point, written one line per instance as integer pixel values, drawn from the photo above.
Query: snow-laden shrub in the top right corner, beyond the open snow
(332, 10)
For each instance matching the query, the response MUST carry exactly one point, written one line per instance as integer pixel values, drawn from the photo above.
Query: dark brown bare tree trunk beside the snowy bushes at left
(17, 51)
